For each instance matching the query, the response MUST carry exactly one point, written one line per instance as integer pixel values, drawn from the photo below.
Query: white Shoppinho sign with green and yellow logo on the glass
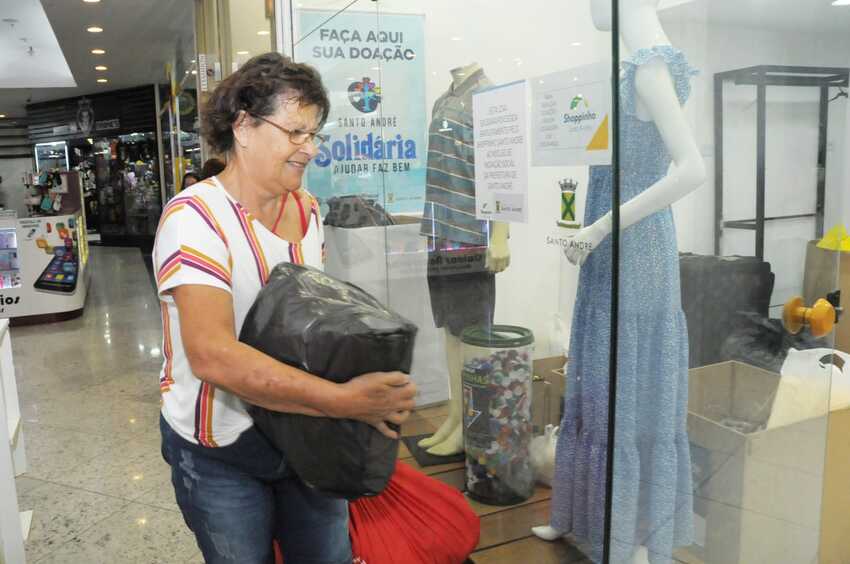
(570, 117)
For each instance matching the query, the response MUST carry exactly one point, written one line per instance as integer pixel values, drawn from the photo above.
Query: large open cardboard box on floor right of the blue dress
(777, 496)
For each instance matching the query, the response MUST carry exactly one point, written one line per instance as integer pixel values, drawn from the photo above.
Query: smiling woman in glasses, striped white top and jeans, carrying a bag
(214, 249)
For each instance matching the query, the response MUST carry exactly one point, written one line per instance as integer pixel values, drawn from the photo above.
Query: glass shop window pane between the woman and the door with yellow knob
(439, 115)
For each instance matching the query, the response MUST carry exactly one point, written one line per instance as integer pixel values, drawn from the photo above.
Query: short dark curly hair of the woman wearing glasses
(256, 88)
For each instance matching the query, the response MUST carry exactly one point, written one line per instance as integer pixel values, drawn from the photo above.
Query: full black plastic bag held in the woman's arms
(332, 329)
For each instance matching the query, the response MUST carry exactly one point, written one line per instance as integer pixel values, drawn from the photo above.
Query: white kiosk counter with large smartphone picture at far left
(43, 275)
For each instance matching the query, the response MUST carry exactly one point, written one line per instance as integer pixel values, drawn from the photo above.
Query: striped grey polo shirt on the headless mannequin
(450, 181)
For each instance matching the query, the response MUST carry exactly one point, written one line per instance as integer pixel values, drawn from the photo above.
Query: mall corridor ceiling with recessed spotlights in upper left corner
(140, 37)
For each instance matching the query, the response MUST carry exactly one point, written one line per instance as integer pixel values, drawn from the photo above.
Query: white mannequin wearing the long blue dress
(656, 103)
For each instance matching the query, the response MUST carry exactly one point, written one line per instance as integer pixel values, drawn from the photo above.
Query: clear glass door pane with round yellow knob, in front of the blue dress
(733, 167)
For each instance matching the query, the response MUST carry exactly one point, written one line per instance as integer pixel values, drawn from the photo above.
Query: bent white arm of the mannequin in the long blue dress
(658, 97)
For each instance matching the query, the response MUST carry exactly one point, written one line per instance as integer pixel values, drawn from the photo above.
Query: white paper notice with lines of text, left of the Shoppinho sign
(501, 153)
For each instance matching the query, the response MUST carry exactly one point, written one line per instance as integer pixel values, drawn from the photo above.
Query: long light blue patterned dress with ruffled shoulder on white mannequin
(653, 501)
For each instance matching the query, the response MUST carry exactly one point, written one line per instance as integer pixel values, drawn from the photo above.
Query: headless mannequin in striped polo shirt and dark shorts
(452, 120)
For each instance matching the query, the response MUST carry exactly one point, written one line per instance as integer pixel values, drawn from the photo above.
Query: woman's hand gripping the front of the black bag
(378, 398)
